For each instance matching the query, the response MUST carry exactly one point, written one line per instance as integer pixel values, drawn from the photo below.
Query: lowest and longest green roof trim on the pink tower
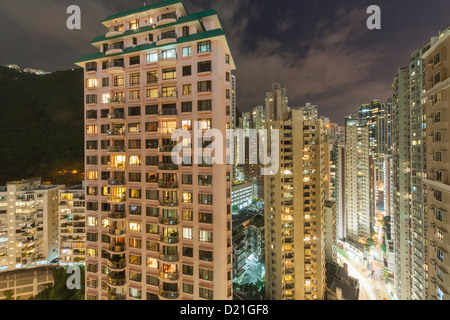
(148, 46)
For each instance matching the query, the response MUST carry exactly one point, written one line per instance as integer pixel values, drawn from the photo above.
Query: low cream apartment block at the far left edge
(28, 224)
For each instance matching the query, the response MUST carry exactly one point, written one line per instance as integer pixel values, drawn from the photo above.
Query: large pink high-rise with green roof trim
(156, 229)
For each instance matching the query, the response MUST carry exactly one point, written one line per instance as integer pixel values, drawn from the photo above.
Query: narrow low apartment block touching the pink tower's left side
(72, 226)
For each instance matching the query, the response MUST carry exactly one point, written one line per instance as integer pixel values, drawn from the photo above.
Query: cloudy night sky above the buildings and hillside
(320, 50)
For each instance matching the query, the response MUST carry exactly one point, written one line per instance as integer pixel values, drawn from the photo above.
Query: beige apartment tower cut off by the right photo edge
(436, 96)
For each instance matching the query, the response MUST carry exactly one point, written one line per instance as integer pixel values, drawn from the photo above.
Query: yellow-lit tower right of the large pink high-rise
(294, 211)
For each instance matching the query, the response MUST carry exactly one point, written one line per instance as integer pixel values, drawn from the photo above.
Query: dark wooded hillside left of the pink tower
(41, 126)
